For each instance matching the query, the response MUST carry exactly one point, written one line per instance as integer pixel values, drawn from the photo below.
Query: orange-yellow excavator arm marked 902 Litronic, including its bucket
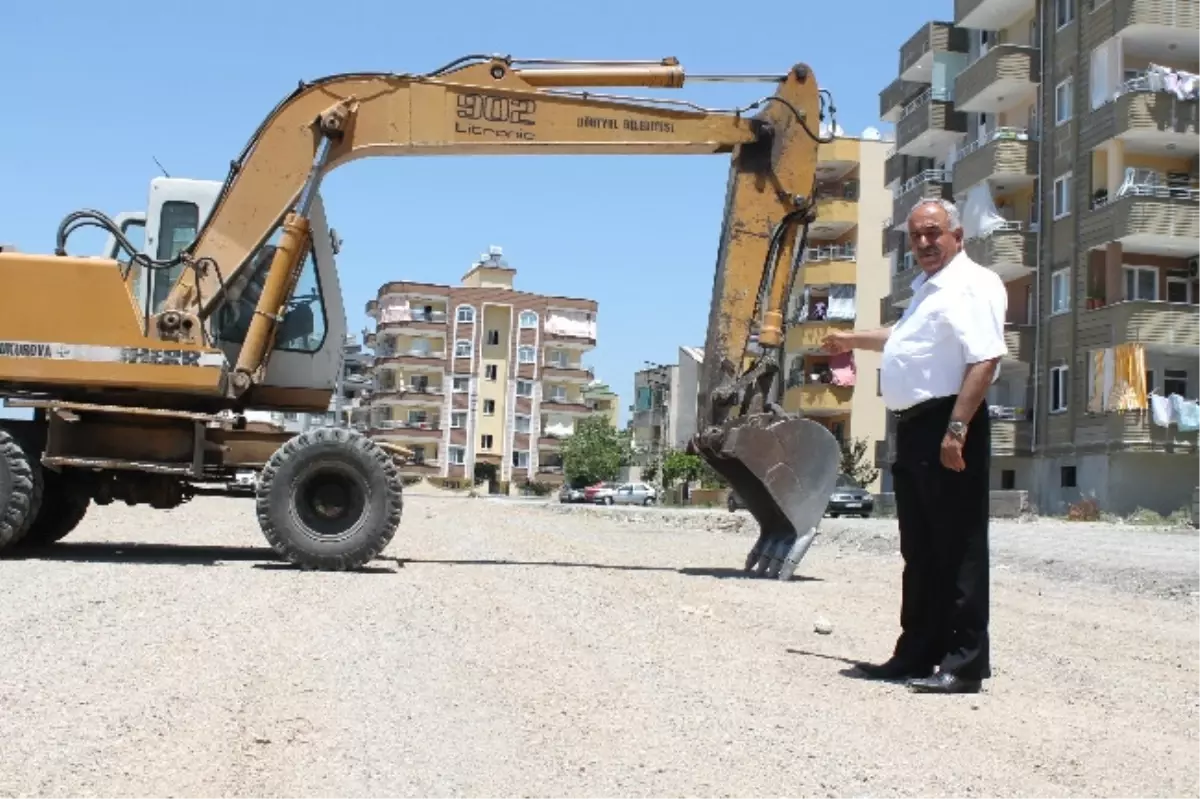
(783, 467)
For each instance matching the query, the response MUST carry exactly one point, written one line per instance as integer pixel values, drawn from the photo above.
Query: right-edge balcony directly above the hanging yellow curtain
(1169, 327)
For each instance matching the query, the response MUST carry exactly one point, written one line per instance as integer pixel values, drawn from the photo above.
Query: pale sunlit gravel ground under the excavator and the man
(518, 648)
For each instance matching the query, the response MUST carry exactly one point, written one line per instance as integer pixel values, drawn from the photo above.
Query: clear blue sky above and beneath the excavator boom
(97, 92)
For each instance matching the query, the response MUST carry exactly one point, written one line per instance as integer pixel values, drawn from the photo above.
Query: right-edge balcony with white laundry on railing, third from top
(1148, 215)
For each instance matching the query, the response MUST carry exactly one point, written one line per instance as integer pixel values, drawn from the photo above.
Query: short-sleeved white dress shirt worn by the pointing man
(956, 319)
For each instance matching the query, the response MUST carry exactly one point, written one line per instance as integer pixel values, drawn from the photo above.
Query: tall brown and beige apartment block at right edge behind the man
(1067, 133)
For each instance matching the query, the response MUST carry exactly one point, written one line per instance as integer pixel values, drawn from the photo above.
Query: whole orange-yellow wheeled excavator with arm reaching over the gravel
(142, 397)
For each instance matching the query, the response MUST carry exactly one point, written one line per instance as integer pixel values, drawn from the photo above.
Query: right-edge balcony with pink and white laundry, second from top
(1145, 117)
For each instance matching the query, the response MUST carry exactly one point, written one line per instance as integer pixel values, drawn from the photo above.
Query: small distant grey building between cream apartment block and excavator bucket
(663, 416)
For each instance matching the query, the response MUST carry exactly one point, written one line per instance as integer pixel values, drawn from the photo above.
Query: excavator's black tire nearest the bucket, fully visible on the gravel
(370, 483)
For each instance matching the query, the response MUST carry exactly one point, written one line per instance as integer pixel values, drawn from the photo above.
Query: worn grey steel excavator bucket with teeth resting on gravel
(784, 470)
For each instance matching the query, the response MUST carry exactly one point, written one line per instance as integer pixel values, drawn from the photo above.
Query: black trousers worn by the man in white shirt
(944, 540)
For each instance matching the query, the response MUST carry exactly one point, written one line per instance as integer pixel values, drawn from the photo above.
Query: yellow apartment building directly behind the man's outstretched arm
(842, 285)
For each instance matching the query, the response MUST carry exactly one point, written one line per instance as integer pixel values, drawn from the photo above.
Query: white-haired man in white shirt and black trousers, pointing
(939, 362)
